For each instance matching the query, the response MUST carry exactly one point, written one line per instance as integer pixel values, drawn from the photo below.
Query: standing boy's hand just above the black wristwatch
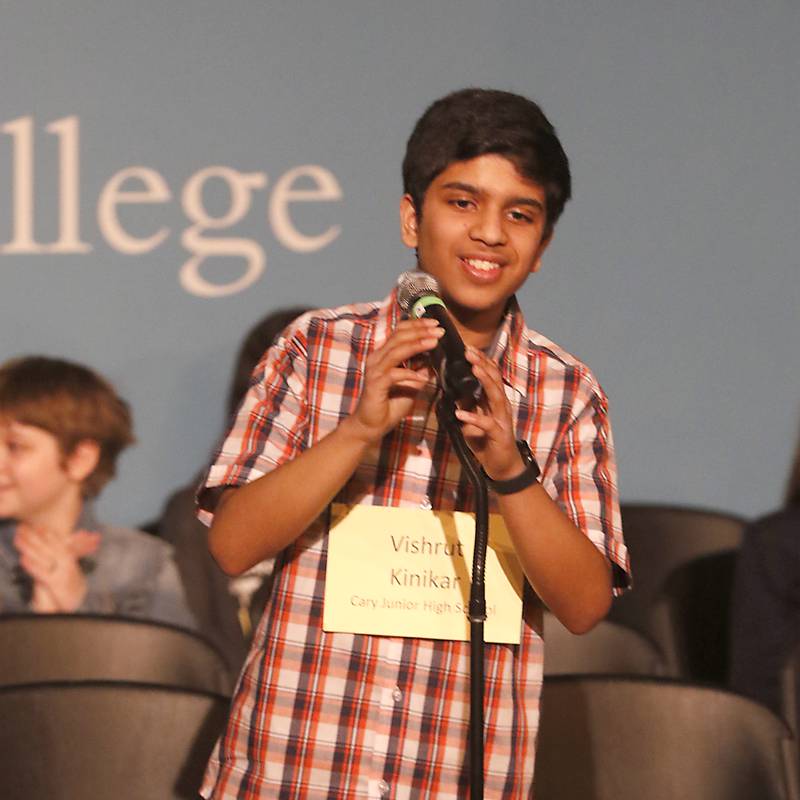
(489, 429)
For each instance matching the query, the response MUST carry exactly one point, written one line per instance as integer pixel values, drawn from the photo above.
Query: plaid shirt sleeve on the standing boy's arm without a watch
(270, 427)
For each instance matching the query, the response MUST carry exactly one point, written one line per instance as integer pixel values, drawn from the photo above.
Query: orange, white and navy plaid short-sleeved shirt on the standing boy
(333, 715)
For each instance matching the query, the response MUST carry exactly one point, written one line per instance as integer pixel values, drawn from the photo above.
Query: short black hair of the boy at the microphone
(475, 122)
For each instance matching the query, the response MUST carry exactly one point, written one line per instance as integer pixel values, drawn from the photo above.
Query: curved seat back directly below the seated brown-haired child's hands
(52, 647)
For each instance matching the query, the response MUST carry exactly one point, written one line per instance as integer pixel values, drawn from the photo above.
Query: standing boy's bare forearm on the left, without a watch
(258, 520)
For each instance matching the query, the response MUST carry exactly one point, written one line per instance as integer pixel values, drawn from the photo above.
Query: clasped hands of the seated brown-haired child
(52, 562)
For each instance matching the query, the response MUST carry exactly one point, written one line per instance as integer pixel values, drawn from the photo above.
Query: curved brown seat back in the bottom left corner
(105, 740)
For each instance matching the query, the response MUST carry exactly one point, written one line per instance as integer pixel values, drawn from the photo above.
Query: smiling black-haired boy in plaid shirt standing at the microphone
(340, 409)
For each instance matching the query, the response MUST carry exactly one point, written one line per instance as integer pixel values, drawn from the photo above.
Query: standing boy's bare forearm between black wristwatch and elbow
(563, 566)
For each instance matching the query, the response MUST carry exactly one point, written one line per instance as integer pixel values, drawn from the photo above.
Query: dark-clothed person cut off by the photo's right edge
(765, 607)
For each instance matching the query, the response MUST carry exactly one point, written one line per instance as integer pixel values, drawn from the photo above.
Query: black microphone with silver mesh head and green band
(418, 295)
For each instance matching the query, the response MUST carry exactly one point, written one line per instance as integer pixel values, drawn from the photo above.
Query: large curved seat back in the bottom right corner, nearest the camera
(604, 738)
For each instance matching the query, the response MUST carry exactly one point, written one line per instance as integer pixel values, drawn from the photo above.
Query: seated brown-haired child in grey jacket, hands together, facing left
(62, 427)
